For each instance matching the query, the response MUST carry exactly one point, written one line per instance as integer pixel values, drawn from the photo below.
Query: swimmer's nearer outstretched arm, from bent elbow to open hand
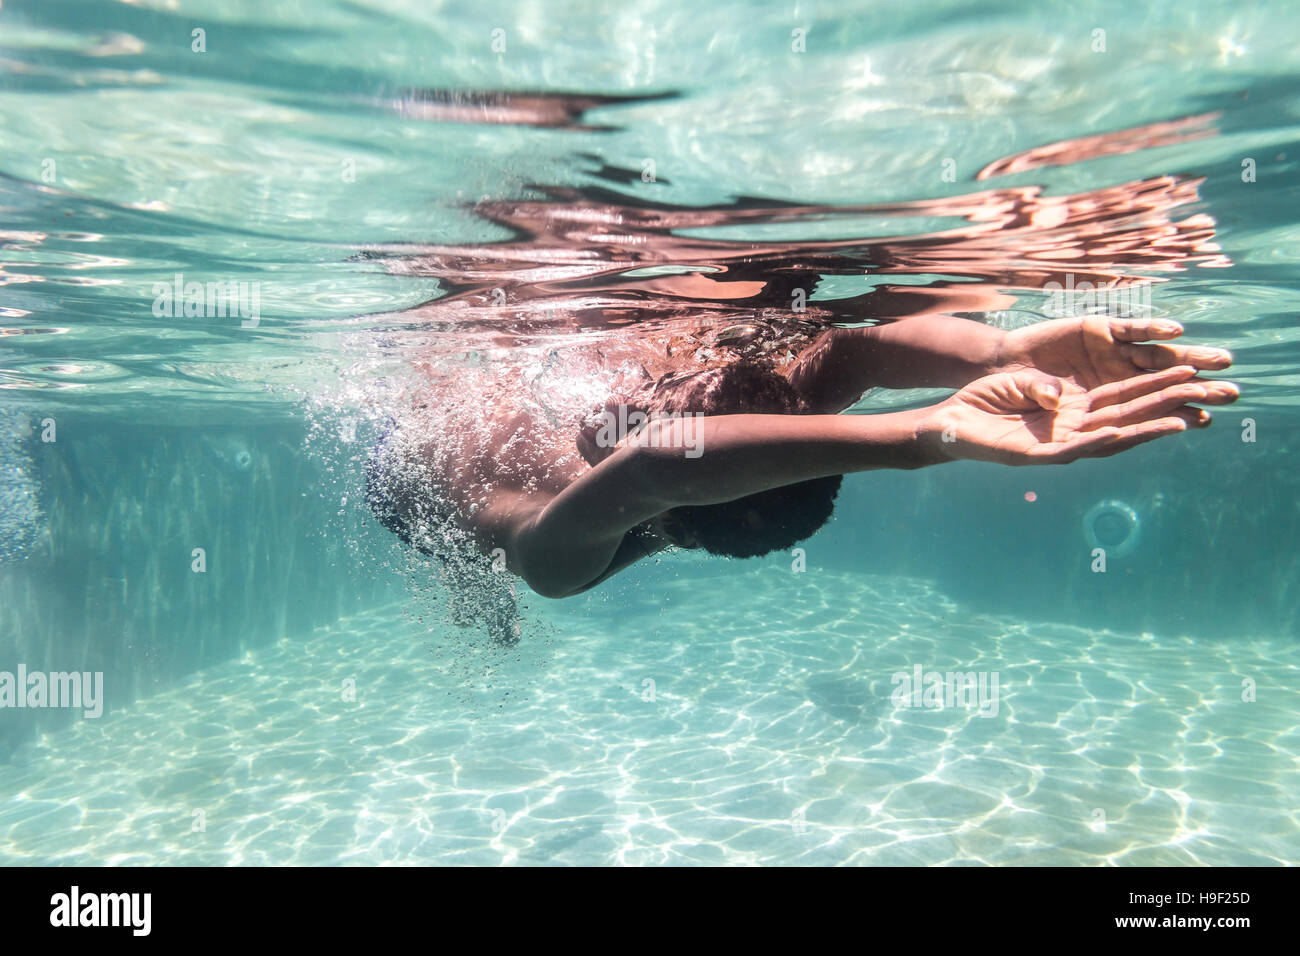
(1022, 418)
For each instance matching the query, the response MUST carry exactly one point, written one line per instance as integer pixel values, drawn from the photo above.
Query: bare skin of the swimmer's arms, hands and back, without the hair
(1046, 395)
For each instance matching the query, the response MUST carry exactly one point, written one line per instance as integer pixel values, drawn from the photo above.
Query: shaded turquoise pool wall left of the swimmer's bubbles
(107, 578)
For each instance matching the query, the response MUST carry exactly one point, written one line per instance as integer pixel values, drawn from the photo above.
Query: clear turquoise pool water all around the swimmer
(307, 695)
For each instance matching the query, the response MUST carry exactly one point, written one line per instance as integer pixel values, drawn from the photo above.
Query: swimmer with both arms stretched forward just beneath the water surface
(744, 456)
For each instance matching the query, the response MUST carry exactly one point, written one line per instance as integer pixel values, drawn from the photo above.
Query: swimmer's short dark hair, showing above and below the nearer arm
(760, 524)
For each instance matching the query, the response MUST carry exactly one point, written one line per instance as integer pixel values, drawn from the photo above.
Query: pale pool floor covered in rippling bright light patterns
(739, 719)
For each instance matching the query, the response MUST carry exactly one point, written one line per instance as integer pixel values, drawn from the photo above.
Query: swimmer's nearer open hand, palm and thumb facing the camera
(1032, 418)
